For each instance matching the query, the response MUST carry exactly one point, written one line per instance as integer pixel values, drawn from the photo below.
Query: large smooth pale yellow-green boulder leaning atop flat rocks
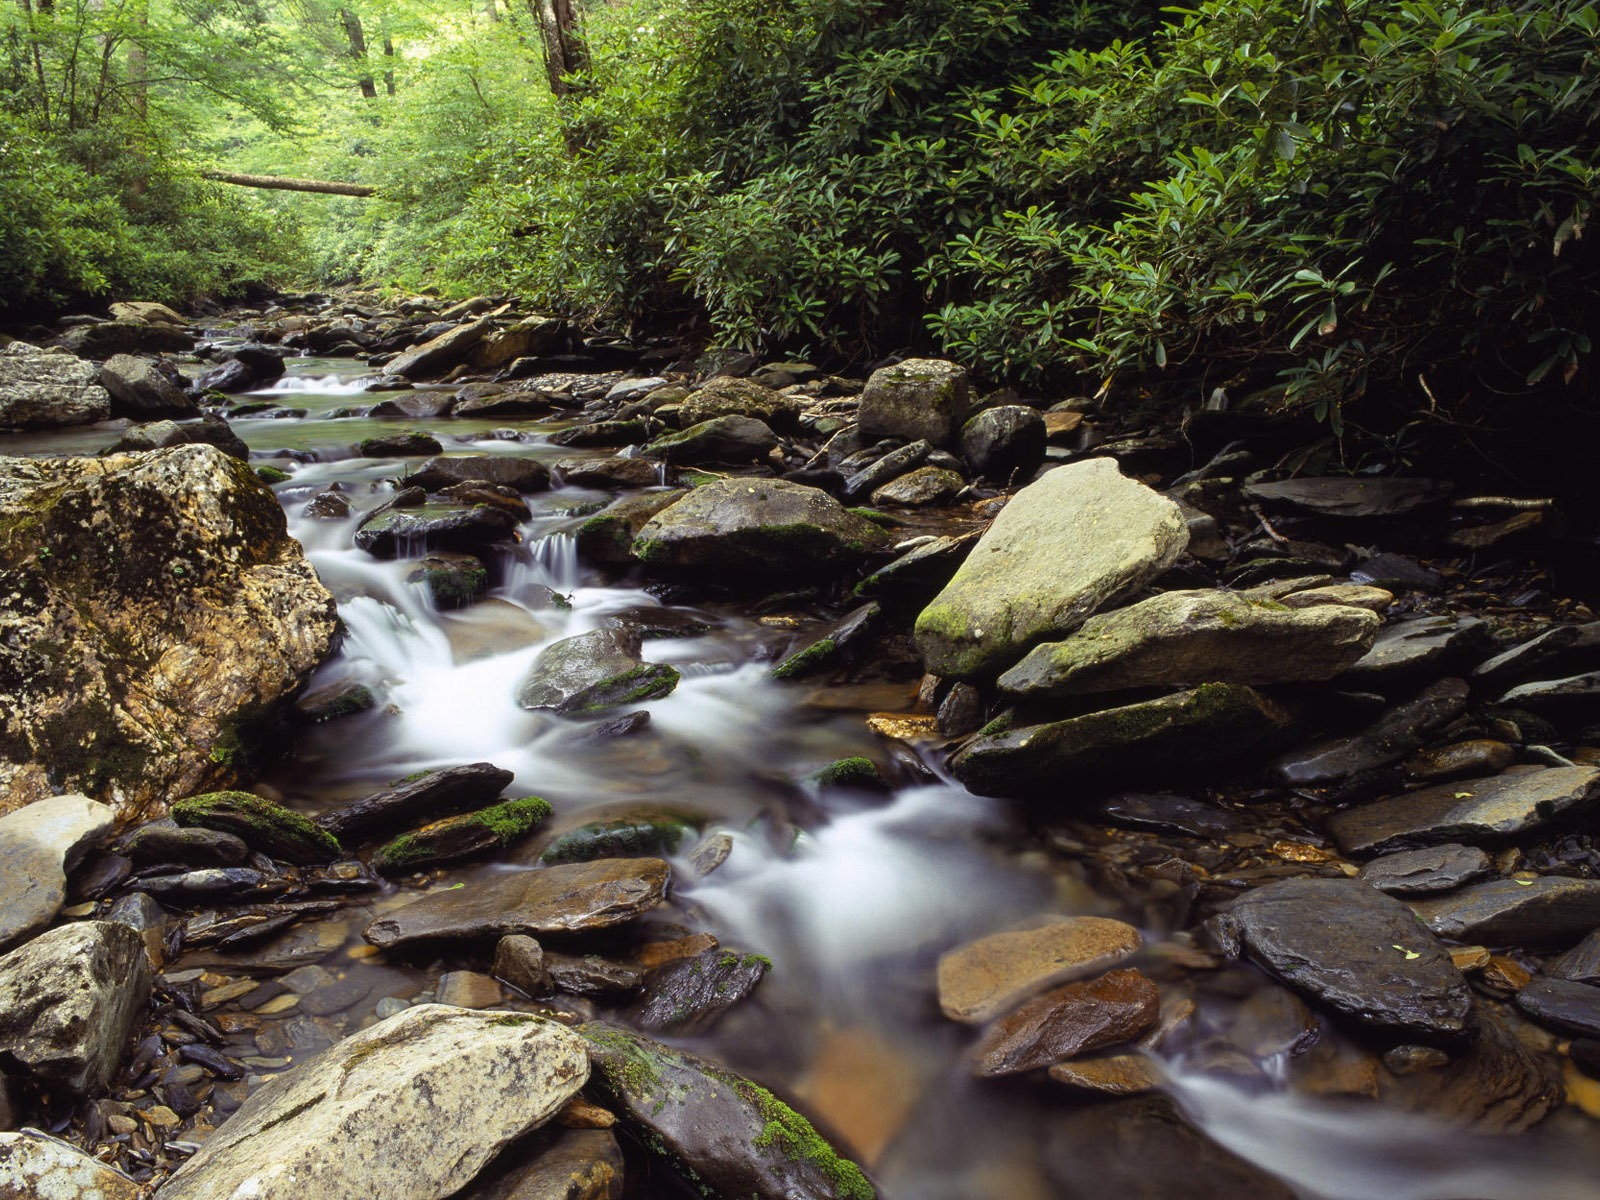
(1076, 540)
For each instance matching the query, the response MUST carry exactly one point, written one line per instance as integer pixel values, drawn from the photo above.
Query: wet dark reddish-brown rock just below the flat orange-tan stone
(1068, 1022)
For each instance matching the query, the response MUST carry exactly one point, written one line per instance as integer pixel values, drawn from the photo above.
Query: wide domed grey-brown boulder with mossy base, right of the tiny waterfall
(746, 527)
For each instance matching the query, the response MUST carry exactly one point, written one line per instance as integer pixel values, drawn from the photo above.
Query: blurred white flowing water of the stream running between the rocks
(852, 897)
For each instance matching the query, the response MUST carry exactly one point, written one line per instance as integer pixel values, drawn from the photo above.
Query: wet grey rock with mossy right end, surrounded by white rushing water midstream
(594, 673)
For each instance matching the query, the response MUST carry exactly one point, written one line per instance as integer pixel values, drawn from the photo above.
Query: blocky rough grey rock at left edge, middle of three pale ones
(70, 1001)
